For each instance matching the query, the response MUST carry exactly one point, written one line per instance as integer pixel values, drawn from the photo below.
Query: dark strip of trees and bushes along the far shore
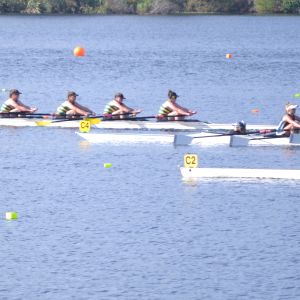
(148, 6)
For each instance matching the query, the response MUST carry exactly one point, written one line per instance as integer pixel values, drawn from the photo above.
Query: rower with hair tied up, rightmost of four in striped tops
(171, 110)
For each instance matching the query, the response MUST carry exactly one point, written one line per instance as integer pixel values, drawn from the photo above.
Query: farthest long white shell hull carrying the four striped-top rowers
(133, 125)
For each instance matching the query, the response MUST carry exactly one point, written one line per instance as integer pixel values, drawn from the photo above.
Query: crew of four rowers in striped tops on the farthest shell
(116, 107)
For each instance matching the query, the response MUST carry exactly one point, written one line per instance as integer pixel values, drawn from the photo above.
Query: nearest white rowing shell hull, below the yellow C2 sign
(196, 173)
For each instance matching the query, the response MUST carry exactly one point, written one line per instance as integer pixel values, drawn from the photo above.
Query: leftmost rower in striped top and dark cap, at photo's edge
(14, 105)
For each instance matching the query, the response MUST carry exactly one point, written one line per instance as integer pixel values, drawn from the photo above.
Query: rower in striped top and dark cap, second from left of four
(70, 107)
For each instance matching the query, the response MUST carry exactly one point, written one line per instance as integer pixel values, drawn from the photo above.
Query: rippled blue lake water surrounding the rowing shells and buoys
(136, 230)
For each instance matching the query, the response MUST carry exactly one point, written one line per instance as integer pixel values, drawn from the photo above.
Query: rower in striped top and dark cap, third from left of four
(118, 109)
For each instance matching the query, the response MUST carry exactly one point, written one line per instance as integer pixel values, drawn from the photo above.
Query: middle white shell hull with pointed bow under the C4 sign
(168, 138)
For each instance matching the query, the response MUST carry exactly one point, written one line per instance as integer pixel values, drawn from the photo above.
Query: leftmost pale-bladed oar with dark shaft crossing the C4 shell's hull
(184, 140)
